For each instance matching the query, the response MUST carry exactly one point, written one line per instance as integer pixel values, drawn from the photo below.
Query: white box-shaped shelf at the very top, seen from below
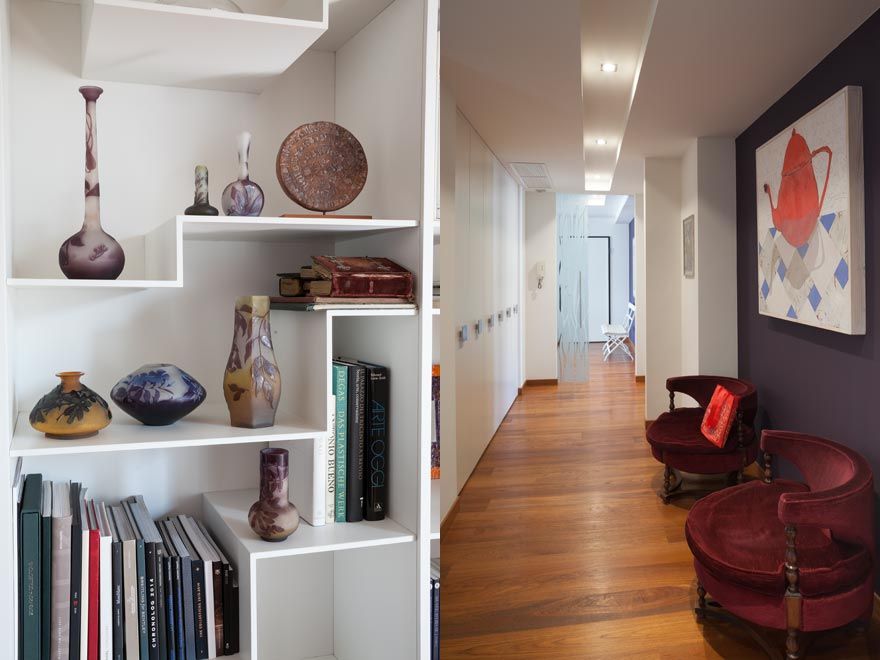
(145, 42)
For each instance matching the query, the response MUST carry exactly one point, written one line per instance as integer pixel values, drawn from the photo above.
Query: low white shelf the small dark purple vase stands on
(230, 509)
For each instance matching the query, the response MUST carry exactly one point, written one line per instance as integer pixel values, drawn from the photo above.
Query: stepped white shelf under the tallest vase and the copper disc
(164, 245)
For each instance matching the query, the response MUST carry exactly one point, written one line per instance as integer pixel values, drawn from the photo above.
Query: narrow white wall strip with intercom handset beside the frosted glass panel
(540, 304)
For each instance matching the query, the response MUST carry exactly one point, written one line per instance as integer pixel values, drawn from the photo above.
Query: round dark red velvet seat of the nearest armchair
(736, 534)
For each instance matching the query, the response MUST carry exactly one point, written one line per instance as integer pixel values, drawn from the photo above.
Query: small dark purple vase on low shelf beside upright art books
(273, 517)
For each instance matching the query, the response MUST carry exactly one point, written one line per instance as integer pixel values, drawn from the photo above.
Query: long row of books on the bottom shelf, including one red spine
(107, 582)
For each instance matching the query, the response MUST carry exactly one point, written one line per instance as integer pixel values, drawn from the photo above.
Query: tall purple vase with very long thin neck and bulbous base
(91, 253)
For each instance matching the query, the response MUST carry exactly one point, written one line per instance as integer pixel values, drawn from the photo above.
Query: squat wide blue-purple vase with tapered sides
(158, 394)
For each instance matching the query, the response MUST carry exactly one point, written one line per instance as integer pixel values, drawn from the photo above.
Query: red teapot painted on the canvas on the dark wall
(798, 202)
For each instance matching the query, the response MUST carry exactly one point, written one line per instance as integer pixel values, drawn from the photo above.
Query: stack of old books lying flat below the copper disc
(332, 282)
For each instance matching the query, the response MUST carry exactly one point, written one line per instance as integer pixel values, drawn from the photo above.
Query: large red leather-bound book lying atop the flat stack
(364, 277)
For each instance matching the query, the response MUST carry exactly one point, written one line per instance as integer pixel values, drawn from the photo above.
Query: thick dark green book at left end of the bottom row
(30, 567)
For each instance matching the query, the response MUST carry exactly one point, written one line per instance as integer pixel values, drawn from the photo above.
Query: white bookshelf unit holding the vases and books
(179, 85)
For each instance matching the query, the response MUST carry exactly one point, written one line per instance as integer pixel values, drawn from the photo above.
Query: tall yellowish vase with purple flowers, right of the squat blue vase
(252, 382)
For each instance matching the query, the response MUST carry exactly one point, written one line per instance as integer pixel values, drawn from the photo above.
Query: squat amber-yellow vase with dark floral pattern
(71, 410)
